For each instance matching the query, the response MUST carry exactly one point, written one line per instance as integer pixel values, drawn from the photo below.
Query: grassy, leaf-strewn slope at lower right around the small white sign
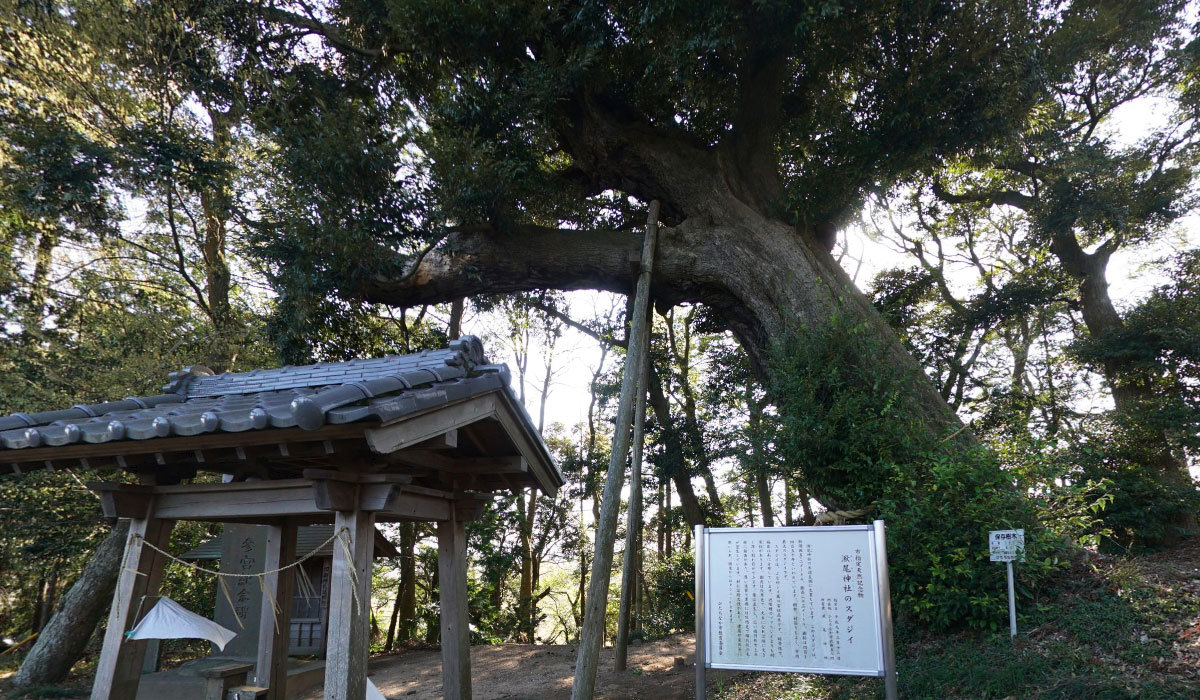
(1118, 627)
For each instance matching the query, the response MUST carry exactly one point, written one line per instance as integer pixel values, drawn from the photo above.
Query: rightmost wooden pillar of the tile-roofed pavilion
(455, 621)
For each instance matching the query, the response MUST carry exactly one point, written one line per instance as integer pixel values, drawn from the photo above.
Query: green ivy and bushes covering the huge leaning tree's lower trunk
(847, 426)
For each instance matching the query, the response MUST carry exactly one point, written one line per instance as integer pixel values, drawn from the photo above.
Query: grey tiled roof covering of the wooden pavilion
(309, 397)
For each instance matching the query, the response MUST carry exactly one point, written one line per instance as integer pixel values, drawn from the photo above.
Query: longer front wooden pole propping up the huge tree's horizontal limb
(592, 635)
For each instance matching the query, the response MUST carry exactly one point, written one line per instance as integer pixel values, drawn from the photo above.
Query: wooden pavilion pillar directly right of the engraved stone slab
(274, 629)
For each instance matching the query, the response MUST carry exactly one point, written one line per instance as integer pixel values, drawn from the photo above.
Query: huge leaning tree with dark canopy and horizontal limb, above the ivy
(526, 125)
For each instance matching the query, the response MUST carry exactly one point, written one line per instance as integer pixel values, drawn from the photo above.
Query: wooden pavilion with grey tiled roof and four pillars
(423, 438)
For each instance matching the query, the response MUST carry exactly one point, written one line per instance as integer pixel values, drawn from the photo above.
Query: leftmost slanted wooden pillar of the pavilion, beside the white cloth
(121, 661)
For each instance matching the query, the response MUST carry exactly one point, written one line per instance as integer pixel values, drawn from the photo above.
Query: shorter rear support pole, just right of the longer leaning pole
(634, 517)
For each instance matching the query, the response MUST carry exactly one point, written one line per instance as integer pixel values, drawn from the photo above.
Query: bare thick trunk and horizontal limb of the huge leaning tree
(761, 276)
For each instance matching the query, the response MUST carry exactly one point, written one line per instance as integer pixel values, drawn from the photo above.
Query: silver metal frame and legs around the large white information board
(883, 607)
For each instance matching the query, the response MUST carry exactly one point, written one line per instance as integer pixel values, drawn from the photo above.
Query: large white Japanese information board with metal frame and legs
(799, 600)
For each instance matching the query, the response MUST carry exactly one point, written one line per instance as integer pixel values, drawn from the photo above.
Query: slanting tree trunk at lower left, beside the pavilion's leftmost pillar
(85, 606)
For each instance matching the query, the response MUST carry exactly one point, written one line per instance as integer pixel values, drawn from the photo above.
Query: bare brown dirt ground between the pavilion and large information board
(515, 672)
